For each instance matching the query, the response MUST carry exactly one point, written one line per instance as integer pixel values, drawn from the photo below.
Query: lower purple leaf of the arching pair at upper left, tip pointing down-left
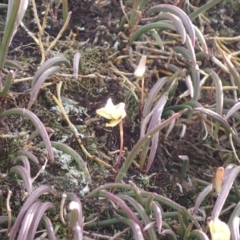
(36, 88)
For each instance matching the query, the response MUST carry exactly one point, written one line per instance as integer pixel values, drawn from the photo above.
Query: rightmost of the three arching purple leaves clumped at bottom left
(38, 216)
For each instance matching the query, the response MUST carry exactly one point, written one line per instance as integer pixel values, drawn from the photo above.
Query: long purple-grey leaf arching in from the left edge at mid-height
(36, 122)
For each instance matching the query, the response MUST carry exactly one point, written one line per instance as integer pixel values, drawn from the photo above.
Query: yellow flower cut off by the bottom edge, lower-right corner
(219, 230)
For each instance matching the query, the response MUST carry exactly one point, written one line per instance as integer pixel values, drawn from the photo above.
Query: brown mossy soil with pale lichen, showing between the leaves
(97, 29)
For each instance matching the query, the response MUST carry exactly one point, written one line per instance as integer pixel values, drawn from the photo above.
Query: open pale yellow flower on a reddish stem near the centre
(115, 113)
